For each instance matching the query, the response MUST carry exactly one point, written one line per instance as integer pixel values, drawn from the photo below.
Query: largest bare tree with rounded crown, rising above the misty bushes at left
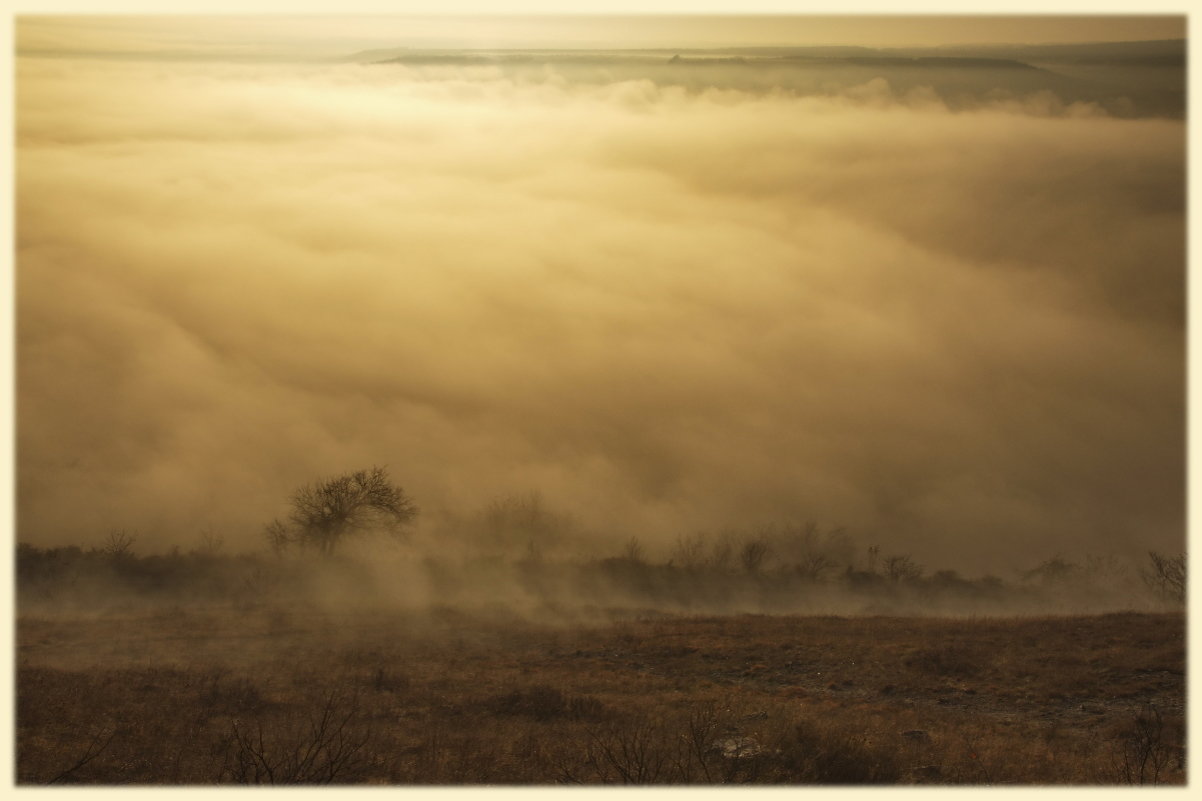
(328, 512)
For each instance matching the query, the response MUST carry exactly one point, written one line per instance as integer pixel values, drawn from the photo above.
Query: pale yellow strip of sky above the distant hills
(296, 34)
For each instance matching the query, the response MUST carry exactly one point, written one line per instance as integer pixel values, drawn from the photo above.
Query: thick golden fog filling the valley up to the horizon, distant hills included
(939, 304)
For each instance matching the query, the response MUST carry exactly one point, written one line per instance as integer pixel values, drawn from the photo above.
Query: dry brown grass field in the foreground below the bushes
(273, 697)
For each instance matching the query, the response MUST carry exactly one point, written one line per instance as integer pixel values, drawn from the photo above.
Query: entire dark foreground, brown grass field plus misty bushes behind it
(778, 655)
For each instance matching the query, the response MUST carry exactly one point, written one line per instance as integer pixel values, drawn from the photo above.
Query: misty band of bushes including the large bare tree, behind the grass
(348, 541)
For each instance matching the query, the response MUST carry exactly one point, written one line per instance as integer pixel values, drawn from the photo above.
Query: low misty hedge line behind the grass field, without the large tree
(825, 574)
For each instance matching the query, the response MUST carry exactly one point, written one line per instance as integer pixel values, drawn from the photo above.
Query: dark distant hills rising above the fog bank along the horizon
(1127, 80)
